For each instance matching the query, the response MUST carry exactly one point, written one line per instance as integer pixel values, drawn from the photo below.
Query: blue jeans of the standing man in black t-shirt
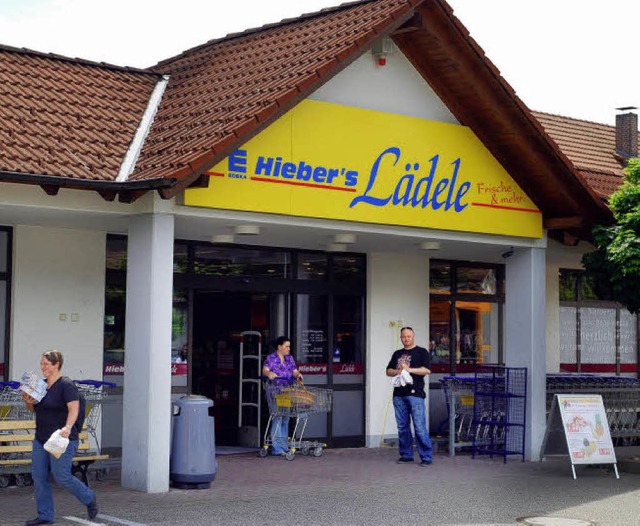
(412, 408)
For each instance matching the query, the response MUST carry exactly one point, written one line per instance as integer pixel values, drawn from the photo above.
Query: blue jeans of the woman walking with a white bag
(43, 462)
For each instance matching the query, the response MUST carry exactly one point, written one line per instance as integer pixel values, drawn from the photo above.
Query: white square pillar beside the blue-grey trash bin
(146, 434)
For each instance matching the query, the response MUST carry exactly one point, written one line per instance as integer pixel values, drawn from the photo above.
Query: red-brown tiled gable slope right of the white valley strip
(233, 87)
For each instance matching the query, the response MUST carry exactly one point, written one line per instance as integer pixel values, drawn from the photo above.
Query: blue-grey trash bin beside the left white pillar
(193, 451)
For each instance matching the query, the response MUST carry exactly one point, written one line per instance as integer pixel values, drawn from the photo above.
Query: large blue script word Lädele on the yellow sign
(422, 193)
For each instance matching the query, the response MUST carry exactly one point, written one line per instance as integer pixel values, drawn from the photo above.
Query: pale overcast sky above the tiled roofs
(571, 57)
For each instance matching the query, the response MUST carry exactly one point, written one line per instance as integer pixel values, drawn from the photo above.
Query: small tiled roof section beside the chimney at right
(590, 146)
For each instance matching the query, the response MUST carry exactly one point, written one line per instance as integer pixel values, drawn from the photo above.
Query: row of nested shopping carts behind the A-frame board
(620, 395)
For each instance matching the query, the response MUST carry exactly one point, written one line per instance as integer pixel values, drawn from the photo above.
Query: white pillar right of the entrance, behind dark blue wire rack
(526, 336)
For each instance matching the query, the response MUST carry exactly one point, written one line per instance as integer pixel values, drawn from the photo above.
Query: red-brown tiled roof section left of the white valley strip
(67, 118)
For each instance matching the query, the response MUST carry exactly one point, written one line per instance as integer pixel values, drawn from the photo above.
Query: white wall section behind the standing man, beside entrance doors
(398, 294)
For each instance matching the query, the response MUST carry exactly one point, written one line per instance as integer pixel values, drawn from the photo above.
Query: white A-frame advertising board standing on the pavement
(577, 425)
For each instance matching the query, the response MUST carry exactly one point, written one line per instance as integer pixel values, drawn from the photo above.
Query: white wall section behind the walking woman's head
(58, 273)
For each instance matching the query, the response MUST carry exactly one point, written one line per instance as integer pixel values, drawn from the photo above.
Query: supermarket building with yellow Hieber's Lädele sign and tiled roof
(332, 177)
